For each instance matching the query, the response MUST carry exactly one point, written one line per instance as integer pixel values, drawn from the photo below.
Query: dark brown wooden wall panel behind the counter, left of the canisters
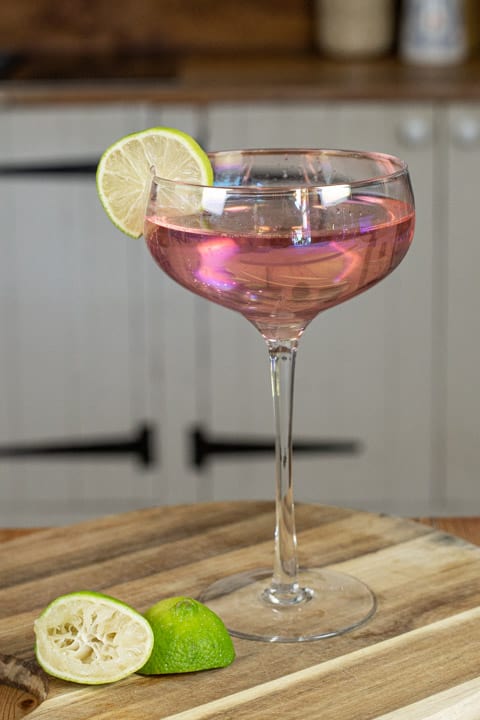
(155, 25)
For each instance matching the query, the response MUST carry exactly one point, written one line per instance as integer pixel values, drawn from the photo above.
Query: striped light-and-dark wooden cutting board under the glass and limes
(419, 657)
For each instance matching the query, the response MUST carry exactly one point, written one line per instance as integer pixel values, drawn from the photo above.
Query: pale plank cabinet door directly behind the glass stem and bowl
(364, 368)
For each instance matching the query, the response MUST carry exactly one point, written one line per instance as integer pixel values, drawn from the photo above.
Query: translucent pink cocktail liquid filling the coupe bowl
(276, 283)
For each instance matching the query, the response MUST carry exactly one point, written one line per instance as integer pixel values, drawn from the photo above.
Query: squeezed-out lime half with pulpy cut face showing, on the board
(90, 638)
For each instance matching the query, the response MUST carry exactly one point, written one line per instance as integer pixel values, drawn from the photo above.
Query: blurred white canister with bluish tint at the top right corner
(433, 32)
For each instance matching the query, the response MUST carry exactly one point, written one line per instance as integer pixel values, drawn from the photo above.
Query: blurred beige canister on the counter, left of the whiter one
(355, 28)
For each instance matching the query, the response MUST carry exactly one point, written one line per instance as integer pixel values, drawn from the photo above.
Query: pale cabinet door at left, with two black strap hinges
(83, 323)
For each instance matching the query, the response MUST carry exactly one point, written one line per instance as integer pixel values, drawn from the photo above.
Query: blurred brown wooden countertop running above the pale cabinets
(201, 79)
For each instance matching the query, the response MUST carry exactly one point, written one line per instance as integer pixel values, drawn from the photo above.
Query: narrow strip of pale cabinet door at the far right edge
(458, 363)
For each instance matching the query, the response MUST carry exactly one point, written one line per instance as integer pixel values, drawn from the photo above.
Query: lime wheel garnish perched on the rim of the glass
(125, 169)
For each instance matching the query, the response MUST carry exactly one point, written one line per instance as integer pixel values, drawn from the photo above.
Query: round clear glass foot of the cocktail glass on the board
(331, 603)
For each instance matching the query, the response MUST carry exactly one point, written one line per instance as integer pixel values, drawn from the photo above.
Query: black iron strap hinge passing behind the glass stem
(202, 447)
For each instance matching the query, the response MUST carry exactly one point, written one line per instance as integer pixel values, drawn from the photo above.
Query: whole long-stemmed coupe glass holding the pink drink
(279, 237)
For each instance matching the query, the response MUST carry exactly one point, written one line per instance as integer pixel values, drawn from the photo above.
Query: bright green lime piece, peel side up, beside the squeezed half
(188, 637)
